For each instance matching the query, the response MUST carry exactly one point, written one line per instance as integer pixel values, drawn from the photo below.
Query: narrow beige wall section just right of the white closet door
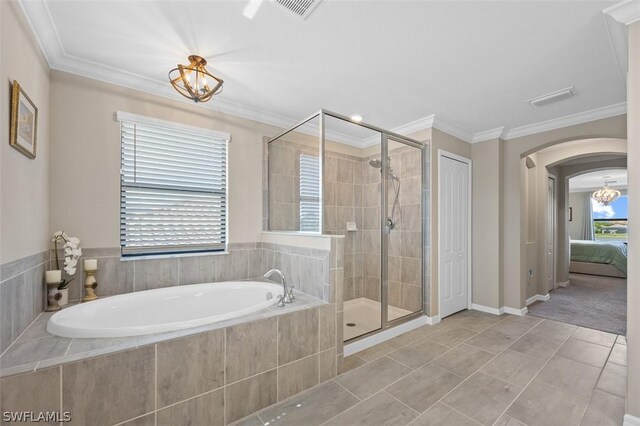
(487, 221)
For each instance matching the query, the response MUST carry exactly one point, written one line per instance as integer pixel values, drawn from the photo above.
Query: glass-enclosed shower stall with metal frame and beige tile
(331, 175)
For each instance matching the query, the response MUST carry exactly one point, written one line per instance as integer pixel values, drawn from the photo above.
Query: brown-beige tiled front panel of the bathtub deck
(197, 377)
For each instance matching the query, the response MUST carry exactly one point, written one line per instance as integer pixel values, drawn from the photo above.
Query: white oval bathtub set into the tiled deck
(163, 309)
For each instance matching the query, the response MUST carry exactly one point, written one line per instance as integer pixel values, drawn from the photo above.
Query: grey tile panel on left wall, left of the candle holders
(22, 295)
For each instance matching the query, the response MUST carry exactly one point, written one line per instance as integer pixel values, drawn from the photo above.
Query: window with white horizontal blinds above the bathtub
(173, 194)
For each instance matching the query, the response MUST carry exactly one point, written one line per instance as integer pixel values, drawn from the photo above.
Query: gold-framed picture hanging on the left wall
(24, 122)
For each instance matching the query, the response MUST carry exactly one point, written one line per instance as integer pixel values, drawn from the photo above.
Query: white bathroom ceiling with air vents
(465, 67)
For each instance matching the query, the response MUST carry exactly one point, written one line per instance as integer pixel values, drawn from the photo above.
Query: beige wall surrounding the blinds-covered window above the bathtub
(85, 189)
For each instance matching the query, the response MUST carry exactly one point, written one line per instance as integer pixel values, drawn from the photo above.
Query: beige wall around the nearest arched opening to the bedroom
(514, 227)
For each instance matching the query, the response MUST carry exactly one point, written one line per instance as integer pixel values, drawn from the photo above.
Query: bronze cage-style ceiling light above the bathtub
(194, 82)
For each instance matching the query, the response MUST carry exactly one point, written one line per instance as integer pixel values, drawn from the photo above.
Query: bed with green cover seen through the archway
(607, 258)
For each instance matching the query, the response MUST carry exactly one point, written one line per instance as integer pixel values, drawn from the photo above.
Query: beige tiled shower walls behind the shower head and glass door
(352, 193)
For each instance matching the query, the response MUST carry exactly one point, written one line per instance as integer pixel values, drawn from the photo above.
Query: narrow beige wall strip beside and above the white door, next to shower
(440, 141)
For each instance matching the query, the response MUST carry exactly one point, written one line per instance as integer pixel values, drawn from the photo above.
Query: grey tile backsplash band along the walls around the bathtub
(22, 289)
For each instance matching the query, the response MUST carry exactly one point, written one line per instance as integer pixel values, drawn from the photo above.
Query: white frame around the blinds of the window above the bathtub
(159, 251)
